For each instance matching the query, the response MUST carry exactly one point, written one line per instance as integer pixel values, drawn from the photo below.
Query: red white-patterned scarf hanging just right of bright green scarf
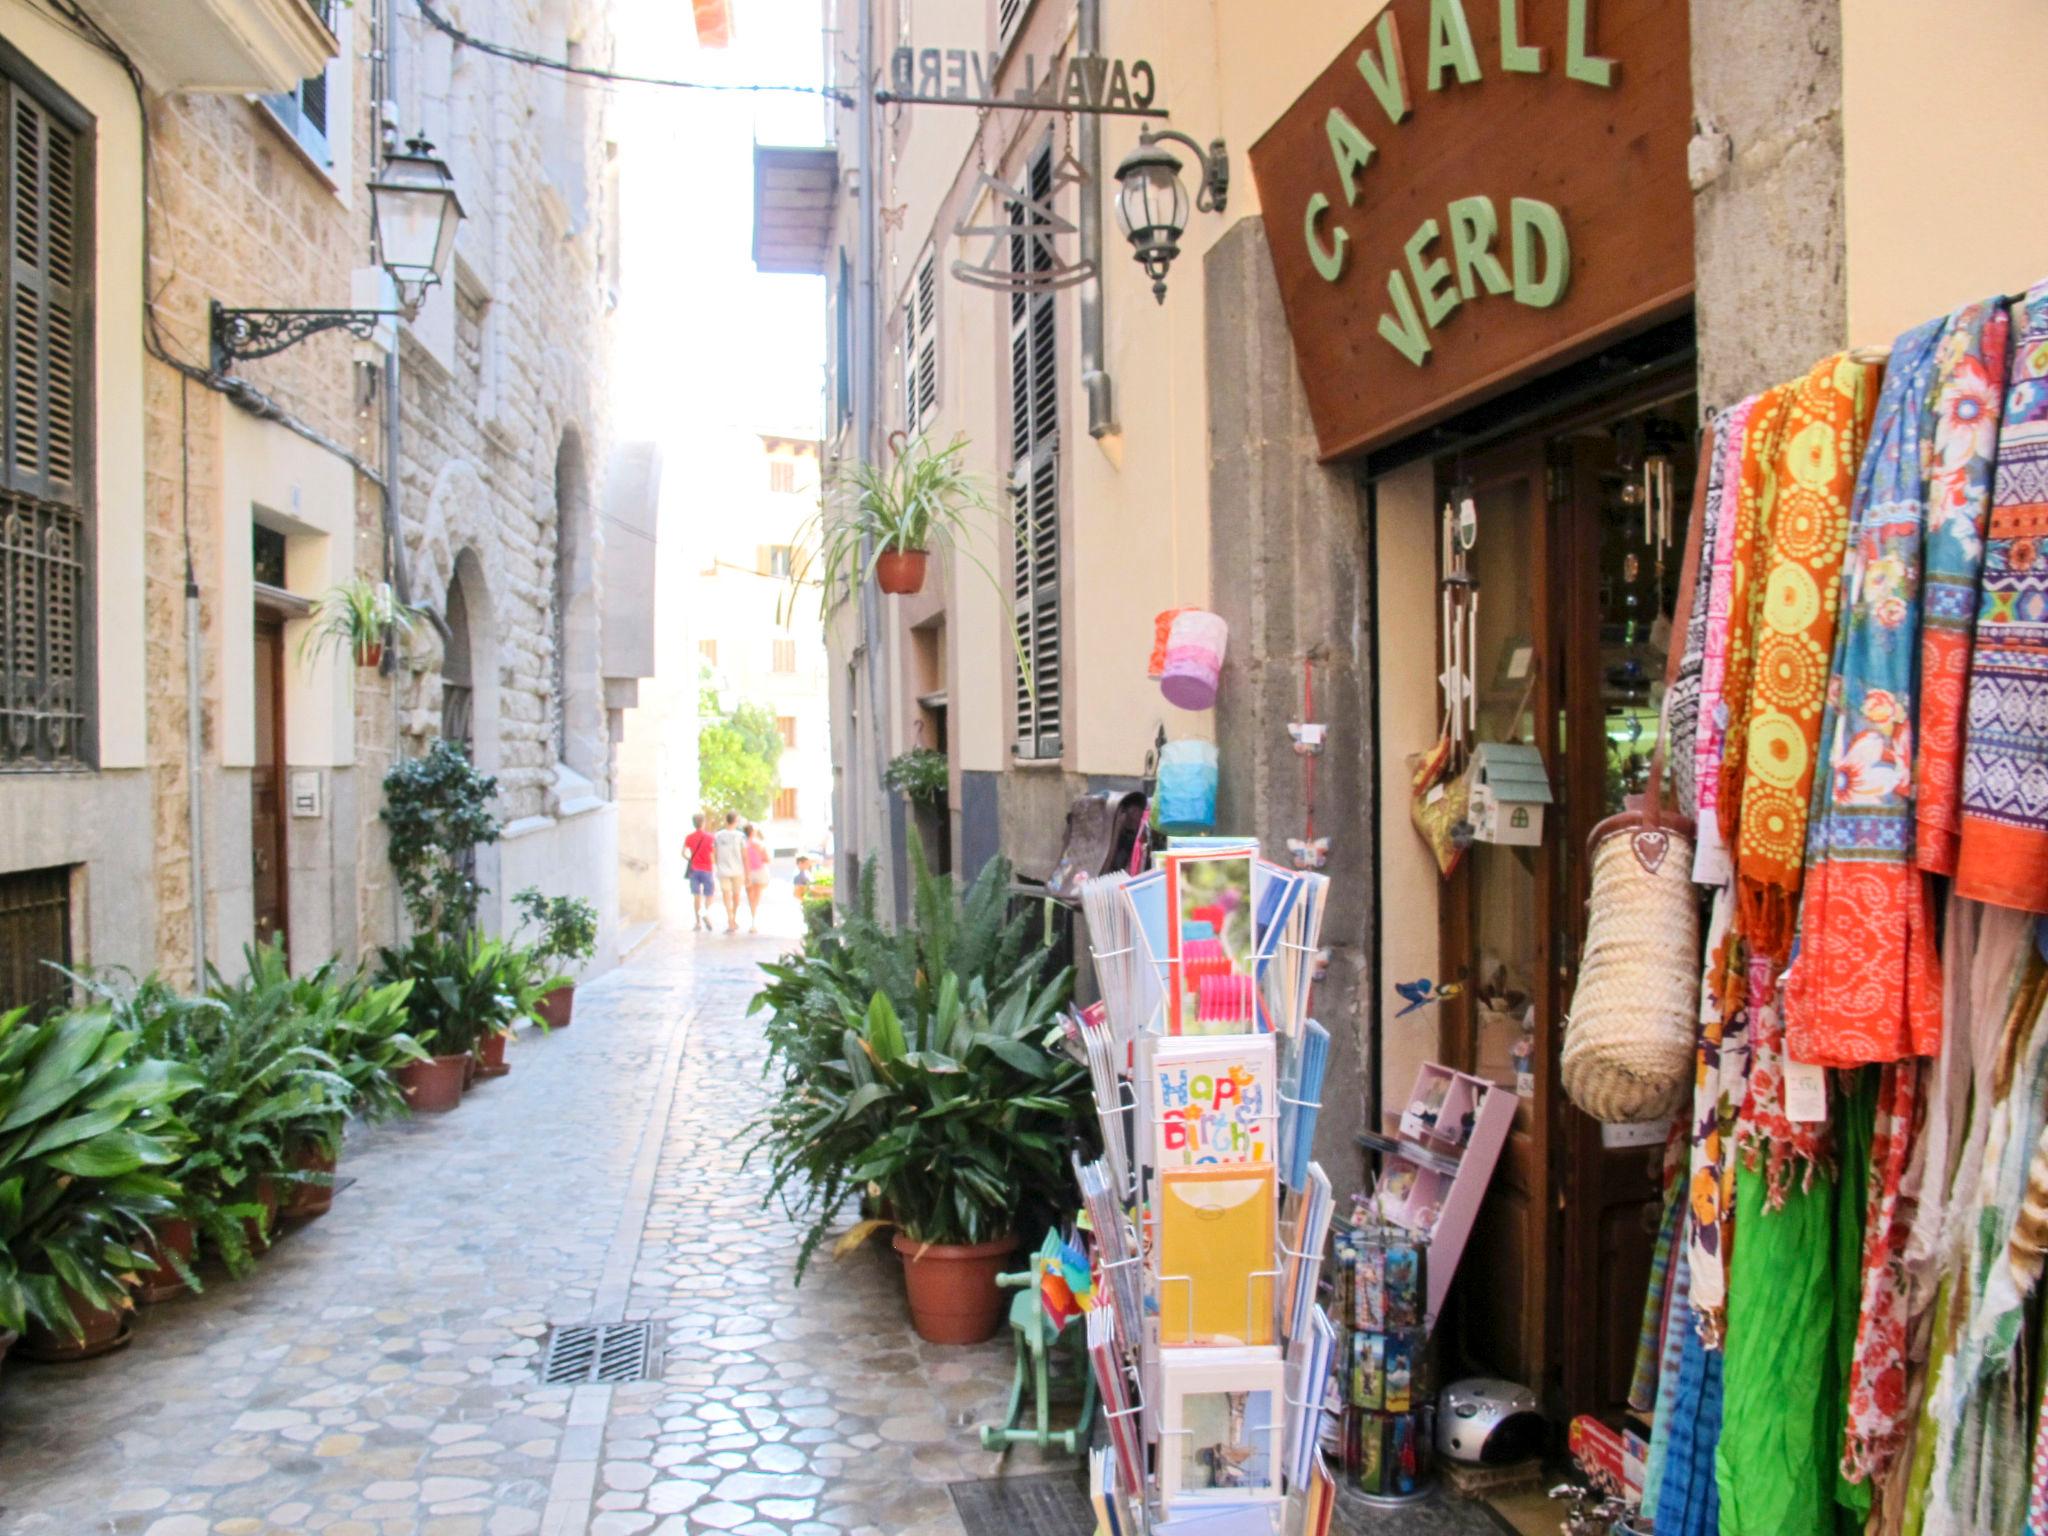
(1877, 1422)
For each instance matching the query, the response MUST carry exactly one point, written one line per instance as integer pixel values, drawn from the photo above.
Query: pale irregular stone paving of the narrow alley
(376, 1377)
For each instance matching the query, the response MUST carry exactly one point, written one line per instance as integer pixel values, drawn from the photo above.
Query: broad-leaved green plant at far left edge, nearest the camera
(87, 1129)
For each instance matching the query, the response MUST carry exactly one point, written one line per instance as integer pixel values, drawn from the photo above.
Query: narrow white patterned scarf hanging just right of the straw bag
(1719, 1084)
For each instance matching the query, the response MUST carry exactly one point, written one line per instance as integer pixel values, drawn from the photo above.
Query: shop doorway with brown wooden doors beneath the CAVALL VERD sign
(1572, 642)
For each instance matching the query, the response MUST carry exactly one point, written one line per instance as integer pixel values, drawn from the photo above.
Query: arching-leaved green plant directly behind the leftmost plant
(265, 1091)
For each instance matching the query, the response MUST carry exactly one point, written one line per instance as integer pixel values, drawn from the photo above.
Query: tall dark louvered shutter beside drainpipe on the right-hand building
(1035, 482)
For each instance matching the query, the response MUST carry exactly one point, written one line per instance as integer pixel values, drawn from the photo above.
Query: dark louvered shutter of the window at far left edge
(46, 566)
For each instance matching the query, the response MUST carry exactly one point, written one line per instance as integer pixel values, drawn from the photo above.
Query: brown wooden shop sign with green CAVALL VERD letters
(1474, 191)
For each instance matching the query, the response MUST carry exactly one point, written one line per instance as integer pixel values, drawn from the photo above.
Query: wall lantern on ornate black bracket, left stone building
(415, 214)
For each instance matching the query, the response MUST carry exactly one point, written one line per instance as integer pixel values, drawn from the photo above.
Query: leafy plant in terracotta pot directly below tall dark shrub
(462, 992)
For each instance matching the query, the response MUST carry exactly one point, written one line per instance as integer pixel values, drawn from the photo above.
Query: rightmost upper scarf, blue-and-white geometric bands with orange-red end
(2004, 853)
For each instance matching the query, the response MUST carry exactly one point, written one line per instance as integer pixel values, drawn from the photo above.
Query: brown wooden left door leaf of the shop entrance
(1498, 931)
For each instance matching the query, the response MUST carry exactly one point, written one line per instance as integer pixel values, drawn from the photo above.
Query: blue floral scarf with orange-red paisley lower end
(1869, 984)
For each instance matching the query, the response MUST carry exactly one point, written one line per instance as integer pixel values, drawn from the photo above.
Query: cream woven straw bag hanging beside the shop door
(1629, 1041)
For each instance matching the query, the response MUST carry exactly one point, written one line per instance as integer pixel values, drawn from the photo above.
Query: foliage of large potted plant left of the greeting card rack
(914, 1066)
